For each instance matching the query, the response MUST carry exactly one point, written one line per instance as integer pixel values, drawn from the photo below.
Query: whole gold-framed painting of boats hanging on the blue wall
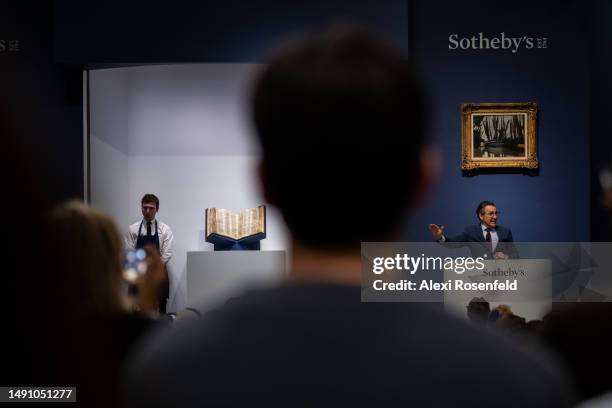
(498, 135)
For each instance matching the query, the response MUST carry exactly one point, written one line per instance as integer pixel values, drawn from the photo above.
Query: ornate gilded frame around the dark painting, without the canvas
(470, 162)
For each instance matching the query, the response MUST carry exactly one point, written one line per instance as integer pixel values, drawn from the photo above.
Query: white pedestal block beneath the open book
(213, 277)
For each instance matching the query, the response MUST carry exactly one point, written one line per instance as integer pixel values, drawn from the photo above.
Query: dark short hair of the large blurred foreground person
(340, 117)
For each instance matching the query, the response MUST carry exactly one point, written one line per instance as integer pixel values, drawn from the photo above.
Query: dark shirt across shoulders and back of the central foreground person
(318, 345)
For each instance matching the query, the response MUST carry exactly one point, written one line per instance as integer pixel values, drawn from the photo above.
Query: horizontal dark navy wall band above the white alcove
(204, 31)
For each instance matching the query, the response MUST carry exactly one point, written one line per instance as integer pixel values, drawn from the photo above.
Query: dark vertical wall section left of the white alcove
(42, 100)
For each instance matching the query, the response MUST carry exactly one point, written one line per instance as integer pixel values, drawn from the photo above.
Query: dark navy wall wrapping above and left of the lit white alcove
(42, 82)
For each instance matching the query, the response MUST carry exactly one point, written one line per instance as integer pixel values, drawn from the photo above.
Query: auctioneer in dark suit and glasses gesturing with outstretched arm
(478, 233)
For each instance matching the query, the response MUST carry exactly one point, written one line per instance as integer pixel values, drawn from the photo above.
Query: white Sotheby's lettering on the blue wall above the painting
(499, 41)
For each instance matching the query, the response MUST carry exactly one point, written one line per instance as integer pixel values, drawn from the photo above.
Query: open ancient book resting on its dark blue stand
(228, 230)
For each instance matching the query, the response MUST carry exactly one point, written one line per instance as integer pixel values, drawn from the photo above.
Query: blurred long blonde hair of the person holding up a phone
(89, 257)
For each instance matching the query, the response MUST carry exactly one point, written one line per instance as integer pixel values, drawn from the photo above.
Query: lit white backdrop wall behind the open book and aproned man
(181, 132)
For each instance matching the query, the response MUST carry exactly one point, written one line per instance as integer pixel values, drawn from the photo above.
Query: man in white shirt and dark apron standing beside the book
(150, 231)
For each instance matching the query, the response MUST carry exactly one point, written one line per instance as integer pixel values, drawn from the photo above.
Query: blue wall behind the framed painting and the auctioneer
(554, 205)
